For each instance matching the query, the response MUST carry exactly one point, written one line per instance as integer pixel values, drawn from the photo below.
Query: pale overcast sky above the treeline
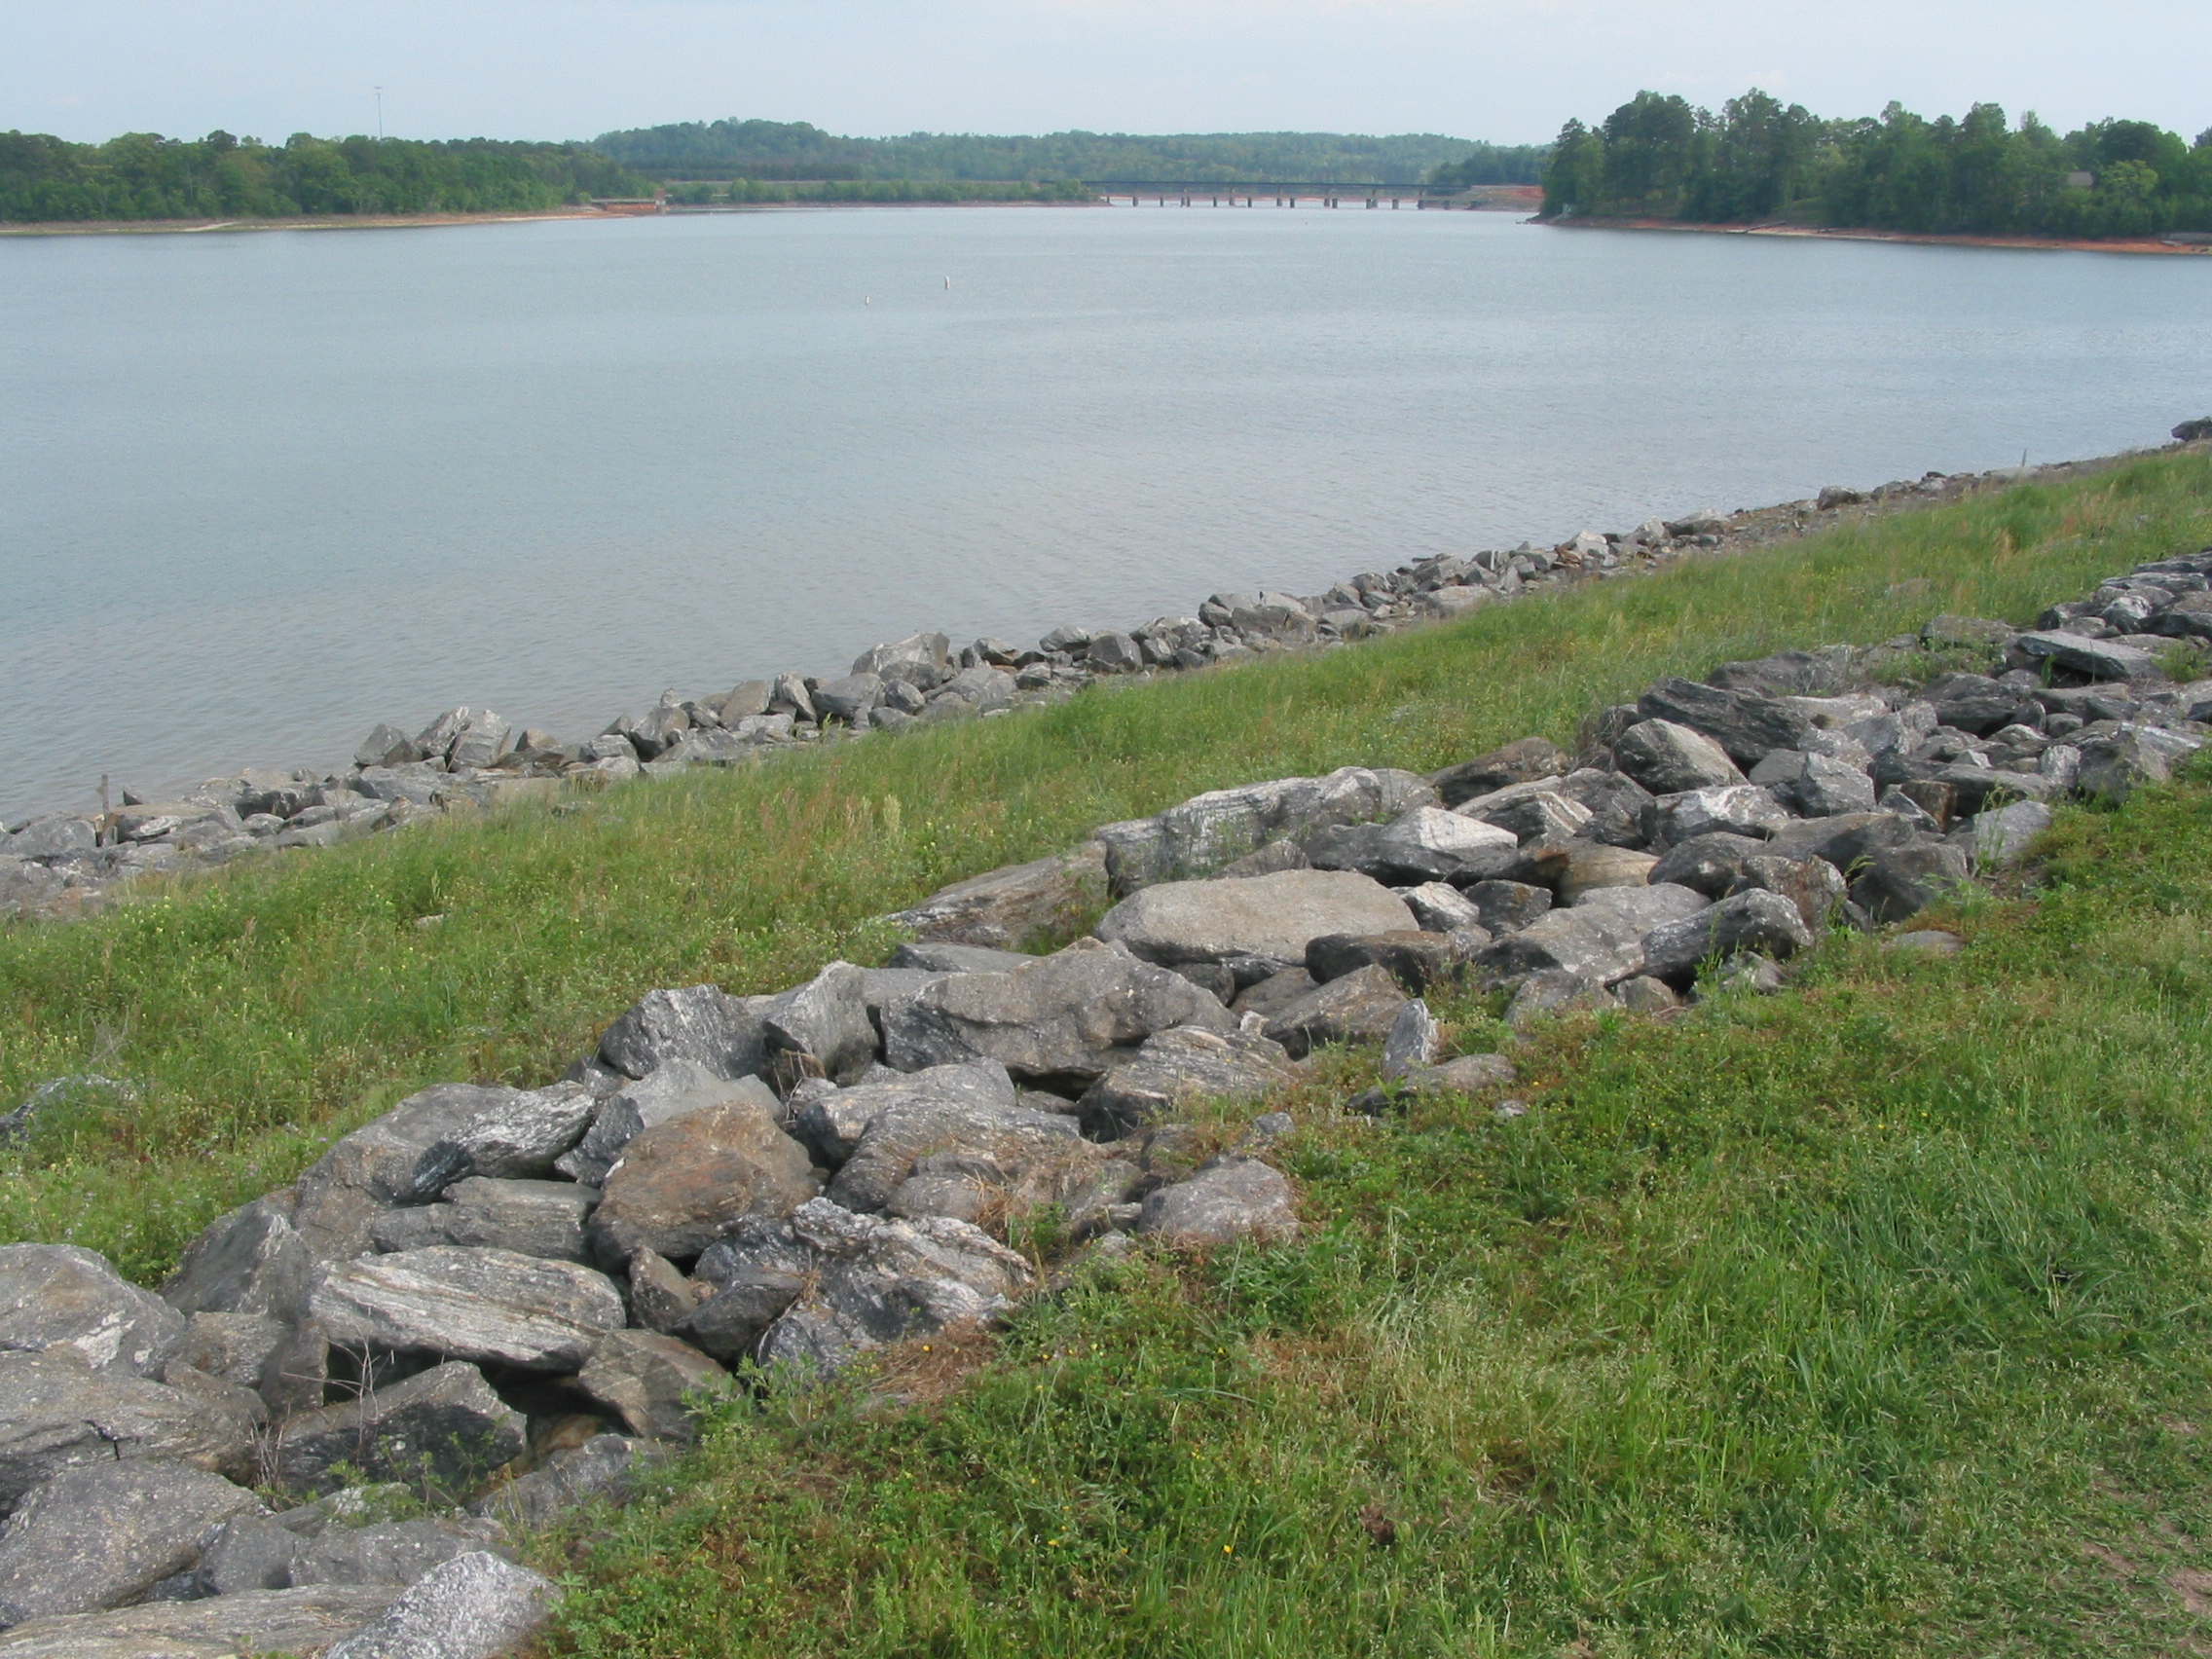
(1490, 70)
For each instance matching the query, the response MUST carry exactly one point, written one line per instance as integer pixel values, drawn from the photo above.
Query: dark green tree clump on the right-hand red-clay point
(1658, 158)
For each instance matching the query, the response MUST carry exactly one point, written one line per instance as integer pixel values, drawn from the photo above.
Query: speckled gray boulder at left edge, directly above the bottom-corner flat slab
(103, 1536)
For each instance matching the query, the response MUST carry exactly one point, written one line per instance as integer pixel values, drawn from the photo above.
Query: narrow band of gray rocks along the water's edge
(67, 864)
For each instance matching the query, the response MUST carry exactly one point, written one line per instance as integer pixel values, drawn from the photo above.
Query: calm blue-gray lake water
(260, 492)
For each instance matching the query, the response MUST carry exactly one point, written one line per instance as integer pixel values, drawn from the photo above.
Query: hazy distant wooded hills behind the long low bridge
(802, 152)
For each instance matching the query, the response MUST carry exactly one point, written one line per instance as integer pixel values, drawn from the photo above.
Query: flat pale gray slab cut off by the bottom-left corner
(300, 1623)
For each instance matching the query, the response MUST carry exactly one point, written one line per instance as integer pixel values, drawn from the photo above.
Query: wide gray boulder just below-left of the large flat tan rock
(1074, 1014)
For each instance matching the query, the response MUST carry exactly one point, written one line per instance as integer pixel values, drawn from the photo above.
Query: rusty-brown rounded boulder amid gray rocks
(682, 1185)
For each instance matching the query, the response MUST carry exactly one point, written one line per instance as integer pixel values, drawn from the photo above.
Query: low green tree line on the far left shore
(145, 176)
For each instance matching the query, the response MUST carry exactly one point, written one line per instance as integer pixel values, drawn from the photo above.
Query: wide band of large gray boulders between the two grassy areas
(333, 1426)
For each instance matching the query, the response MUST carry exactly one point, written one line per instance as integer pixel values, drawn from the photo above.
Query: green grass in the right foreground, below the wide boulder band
(1868, 1319)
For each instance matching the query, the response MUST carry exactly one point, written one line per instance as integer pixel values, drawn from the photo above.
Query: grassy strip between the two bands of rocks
(271, 1008)
